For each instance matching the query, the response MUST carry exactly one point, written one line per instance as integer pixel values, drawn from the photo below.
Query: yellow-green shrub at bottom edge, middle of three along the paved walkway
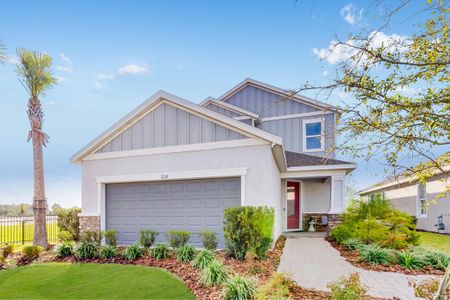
(348, 288)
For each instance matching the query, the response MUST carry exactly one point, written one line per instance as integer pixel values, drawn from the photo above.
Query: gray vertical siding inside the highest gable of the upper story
(267, 104)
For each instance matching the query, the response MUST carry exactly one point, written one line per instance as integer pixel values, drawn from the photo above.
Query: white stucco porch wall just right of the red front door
(316, 196)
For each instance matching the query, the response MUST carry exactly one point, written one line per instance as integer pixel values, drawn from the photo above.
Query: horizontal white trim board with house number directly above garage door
(164, 176)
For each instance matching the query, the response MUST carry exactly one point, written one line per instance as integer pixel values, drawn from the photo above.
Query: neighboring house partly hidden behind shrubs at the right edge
(427, 202)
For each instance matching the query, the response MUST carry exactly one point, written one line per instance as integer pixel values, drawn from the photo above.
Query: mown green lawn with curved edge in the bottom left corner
(90, 281)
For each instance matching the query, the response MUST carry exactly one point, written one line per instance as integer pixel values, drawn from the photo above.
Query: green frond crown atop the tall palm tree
(34, 71)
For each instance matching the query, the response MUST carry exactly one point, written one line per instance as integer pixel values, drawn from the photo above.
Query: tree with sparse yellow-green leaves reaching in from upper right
(400, 86)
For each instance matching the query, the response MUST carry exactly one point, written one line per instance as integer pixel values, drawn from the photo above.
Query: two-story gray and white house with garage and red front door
(173, 164)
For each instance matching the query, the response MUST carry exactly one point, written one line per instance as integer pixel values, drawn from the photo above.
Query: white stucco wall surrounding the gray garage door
(262, 182)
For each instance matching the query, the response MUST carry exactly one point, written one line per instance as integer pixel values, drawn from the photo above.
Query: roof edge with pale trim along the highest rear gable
(284, 93)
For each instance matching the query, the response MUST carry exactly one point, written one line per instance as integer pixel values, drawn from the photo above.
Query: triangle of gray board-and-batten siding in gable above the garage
(169, 126)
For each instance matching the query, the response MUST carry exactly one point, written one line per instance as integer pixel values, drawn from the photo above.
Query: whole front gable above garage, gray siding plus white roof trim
(216, 127)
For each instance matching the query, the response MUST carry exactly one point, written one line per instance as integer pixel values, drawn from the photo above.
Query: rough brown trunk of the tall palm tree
(39, 138)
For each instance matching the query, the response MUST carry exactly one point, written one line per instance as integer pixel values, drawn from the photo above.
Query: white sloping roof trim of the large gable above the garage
(155, 100)
